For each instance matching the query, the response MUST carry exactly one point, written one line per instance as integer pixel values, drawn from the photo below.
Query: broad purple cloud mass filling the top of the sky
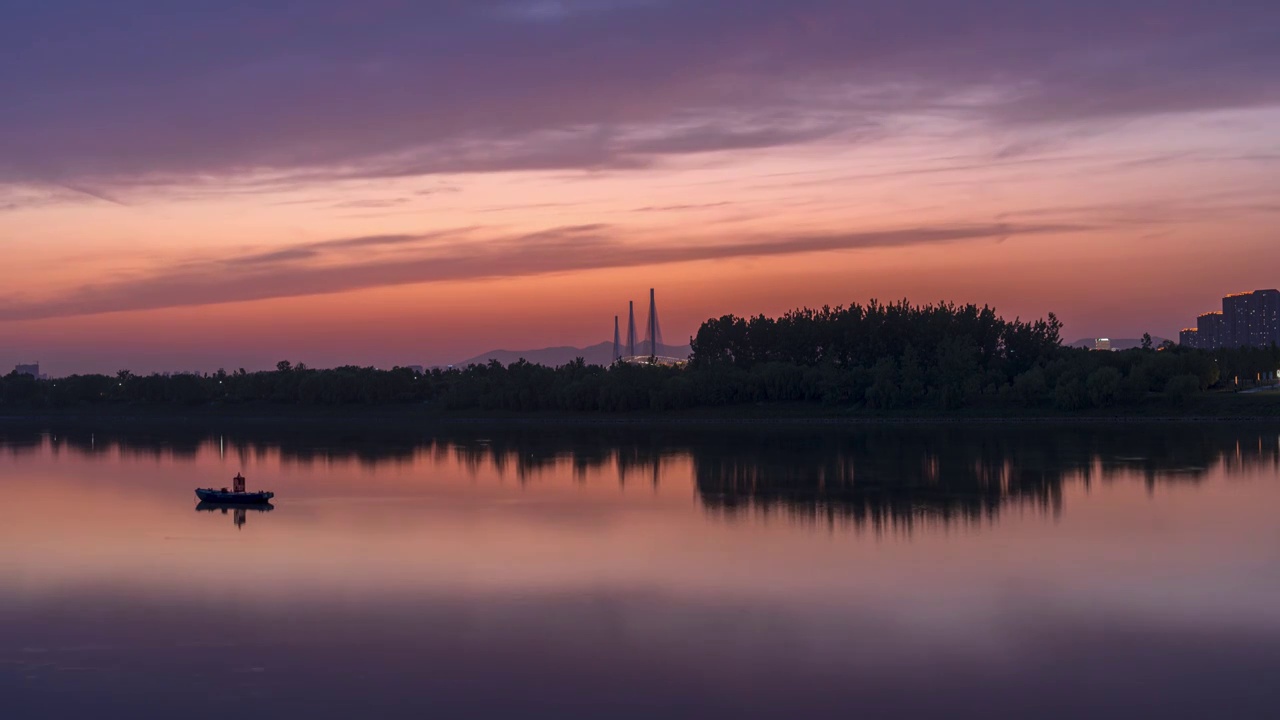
(103, 94)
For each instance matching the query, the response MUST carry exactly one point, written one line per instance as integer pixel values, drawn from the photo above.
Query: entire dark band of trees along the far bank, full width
(877, 358)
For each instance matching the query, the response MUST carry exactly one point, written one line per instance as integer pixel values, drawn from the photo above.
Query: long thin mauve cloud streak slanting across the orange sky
(328, 267)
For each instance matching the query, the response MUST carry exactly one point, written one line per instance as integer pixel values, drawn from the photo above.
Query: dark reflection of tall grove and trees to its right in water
(907, 476)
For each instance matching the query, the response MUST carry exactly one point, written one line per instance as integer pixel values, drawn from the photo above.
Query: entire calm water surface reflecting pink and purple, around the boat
(633, 572)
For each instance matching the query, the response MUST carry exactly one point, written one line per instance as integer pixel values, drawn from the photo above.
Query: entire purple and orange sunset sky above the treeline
(226, 184)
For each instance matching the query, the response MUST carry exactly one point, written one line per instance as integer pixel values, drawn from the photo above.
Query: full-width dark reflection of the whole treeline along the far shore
(877, 477)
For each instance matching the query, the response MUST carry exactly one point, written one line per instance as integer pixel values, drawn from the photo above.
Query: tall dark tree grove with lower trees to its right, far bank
(890, 357)
